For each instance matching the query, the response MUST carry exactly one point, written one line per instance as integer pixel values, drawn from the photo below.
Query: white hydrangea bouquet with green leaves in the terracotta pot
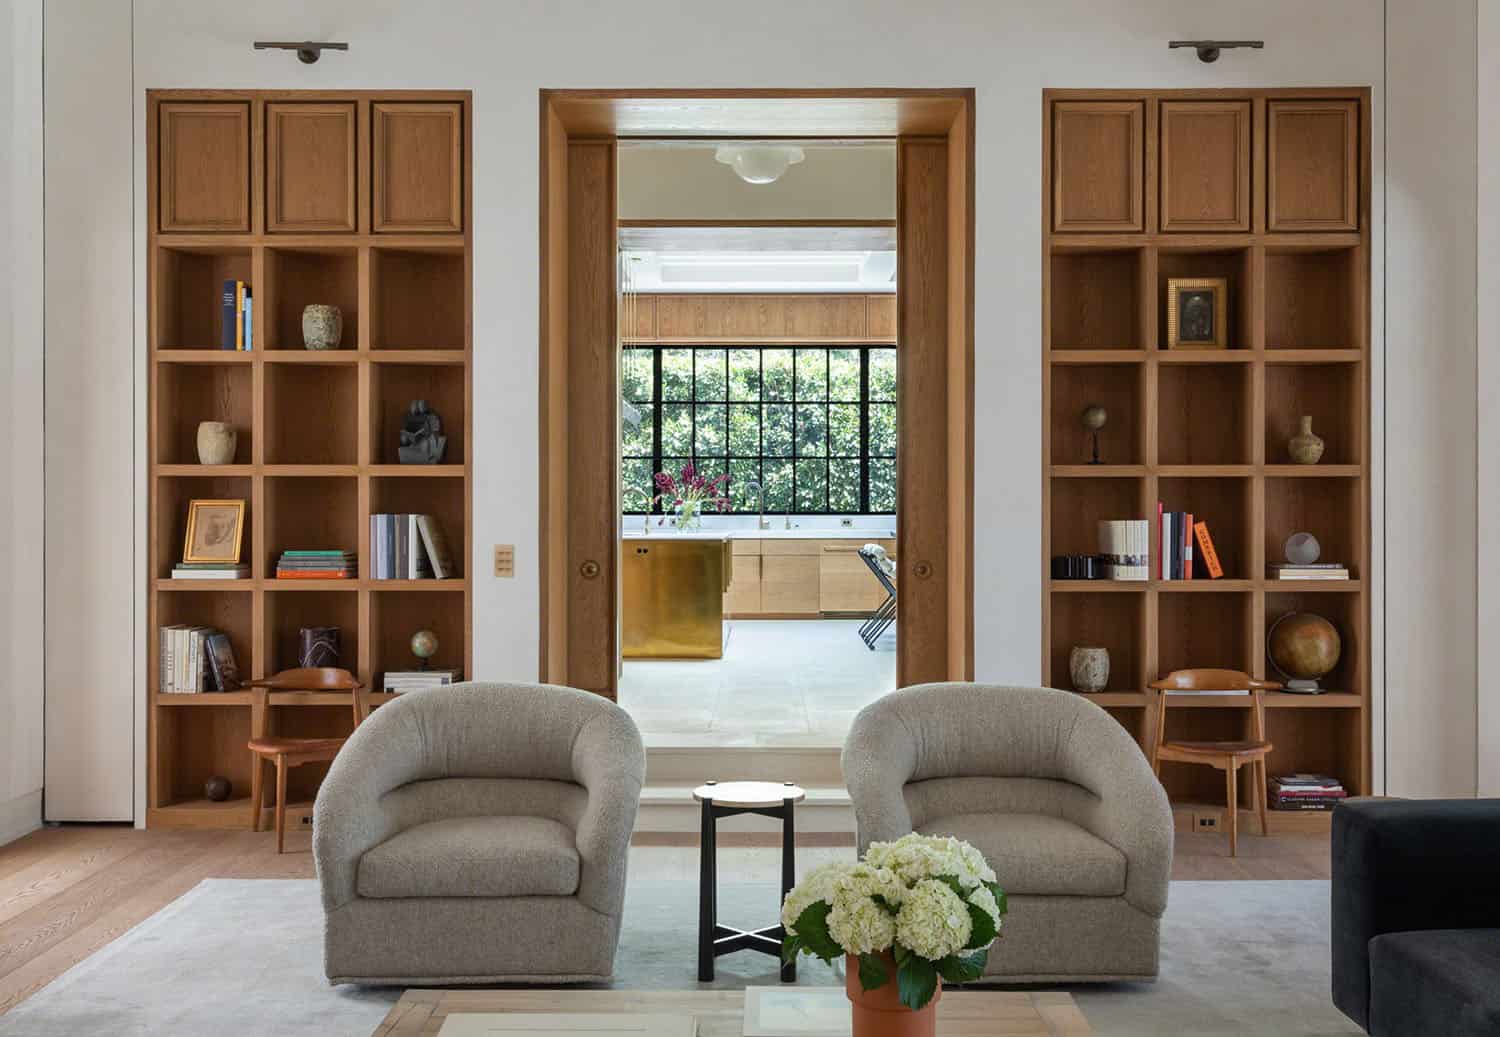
(926, 906)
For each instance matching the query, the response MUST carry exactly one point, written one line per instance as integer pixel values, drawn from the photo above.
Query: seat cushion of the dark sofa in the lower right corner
(1436, 982)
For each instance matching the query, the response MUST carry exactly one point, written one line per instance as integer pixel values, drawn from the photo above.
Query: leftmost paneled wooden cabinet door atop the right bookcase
(1097, 166)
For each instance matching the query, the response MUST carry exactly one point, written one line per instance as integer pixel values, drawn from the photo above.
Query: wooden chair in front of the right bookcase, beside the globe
(1228, 757)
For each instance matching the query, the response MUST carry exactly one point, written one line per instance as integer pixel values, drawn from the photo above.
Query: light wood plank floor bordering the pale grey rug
(68, 892)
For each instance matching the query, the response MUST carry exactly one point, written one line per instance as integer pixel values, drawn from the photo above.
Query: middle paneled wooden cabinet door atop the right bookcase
(1205, 166)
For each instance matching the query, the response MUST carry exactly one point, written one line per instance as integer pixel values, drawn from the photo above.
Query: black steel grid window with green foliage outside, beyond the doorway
(814, 425)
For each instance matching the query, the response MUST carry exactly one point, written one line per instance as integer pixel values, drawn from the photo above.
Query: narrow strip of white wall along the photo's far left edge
(22, 380)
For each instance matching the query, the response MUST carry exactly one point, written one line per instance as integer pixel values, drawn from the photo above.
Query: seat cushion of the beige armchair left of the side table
(497, 856)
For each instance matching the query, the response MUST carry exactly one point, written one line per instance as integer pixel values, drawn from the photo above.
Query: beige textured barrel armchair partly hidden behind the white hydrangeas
(1058, 798)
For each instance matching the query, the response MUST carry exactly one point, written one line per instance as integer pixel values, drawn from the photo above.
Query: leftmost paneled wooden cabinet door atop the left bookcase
(205, 167)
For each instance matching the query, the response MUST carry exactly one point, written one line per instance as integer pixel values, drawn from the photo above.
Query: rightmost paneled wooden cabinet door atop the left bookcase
(419, 167)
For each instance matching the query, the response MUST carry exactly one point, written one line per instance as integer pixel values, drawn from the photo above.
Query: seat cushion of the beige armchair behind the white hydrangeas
(1039, 855)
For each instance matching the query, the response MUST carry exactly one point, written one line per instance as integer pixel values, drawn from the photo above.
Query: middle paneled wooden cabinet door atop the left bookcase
(310, 167)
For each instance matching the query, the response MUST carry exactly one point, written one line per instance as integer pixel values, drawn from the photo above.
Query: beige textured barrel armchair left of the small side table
(458, 816)
